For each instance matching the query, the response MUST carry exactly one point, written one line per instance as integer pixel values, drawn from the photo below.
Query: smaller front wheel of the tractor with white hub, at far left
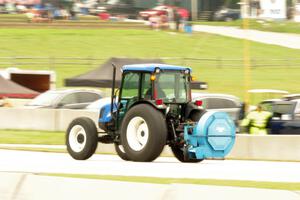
(82, 138)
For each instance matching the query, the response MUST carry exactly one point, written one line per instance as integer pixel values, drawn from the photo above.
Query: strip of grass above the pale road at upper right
(272, 26)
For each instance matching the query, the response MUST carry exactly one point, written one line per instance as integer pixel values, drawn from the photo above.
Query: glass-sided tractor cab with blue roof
(153, 84)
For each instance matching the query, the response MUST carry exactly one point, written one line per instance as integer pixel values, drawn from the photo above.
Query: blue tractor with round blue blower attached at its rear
(151, 109)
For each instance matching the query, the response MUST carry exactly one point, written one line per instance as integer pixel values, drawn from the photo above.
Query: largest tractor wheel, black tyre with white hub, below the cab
(143, 133)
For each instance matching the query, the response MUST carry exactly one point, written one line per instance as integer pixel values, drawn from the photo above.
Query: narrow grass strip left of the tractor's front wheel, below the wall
(31, 137)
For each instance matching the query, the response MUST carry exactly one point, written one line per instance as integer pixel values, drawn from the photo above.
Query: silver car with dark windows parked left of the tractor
(69, 99)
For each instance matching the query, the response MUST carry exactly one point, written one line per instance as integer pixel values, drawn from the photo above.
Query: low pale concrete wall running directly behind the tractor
(266, 147)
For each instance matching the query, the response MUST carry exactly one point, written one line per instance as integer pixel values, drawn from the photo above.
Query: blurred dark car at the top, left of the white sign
(227, 14)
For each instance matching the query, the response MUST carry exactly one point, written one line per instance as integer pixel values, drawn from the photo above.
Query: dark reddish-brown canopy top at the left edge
(11, 89)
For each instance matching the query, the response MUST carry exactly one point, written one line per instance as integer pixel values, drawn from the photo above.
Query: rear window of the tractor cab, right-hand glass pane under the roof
(172, 87)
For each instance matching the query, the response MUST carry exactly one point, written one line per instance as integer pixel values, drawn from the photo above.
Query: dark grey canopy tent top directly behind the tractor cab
(102, 76)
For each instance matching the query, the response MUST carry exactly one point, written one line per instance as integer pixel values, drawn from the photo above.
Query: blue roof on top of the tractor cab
(152, 66)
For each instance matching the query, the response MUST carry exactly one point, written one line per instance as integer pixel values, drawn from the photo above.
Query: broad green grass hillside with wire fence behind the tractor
(224, 75)
